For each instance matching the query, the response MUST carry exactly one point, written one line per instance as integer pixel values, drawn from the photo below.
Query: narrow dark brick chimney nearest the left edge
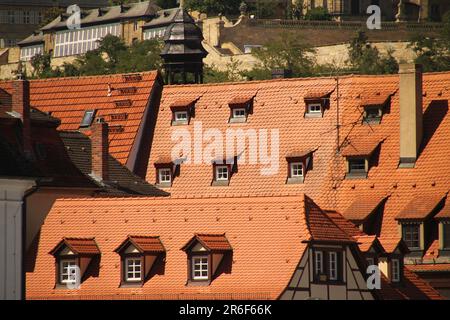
(21, 106)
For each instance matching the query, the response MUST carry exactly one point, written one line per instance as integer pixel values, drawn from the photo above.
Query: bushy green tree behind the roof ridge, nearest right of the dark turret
(289, 51)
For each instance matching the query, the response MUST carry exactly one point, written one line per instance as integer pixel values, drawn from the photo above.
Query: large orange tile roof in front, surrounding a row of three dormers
(266, 235)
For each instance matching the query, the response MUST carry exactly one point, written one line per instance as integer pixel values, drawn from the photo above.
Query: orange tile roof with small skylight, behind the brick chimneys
(69, 98)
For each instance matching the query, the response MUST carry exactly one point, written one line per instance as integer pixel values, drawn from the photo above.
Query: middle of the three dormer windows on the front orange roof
(140, 256)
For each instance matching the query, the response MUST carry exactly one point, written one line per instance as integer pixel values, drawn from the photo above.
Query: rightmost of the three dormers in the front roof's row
(208, 256)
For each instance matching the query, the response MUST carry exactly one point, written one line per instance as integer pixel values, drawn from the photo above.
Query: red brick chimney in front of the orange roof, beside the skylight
(100, 150)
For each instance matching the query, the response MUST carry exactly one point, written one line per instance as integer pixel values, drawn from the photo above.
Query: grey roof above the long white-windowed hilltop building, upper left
(109, 14)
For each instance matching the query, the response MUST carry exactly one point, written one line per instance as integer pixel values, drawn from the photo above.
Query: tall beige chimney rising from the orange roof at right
(411, 114)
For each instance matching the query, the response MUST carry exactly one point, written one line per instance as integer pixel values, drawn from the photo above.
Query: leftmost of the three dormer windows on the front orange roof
(74, 256)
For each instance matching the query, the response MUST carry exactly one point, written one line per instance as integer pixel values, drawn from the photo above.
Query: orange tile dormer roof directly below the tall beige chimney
(421, 206)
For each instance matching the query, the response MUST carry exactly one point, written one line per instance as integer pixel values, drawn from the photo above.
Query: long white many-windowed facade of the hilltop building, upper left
(73, 42)
